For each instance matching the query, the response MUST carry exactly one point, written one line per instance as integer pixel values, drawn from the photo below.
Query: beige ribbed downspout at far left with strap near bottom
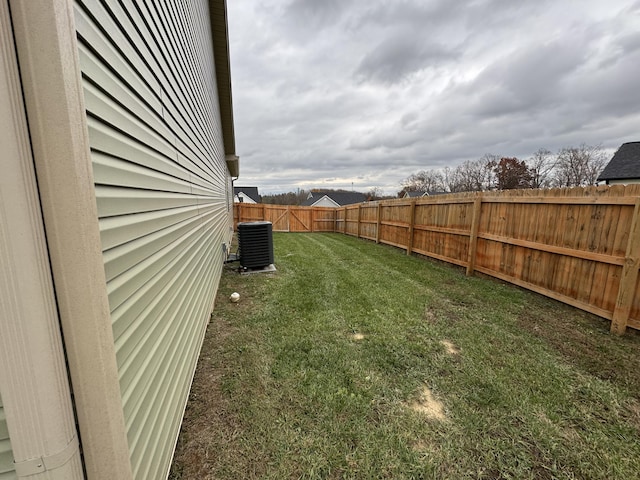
(33, 375)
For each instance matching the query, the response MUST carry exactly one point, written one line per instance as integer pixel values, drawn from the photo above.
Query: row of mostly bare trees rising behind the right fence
(570, 167)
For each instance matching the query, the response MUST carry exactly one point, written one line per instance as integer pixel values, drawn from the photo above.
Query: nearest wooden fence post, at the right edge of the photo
(629, 277)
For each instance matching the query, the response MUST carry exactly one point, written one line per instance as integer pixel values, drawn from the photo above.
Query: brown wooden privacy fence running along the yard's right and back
(580, 246)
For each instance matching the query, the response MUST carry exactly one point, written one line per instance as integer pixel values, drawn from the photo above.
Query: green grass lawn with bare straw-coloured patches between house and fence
(357, 361)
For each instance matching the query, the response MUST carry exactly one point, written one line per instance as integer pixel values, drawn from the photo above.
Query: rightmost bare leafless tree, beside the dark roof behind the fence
(579, 166)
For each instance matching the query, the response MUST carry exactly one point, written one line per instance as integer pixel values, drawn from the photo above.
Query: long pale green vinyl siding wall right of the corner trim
(163, 197)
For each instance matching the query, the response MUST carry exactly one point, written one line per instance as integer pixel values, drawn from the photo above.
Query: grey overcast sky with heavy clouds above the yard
(335, 93)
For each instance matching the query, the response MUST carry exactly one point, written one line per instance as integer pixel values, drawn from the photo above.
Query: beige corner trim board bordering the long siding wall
(47, 49)
